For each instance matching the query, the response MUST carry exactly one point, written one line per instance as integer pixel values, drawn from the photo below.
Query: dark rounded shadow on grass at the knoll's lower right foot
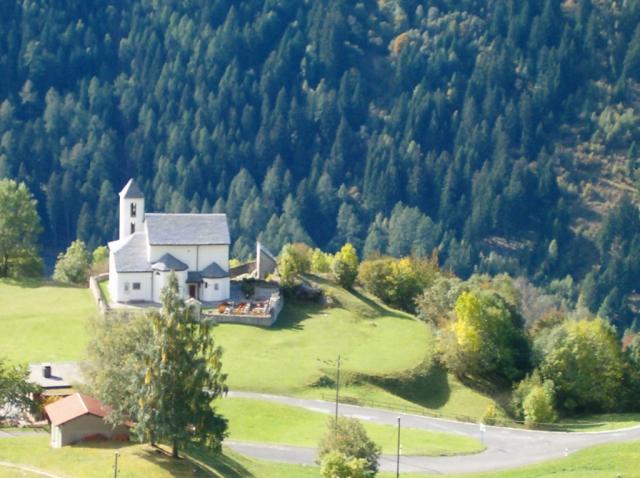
(426, 386)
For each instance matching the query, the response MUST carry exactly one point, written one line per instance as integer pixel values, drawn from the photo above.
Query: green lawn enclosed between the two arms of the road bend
(256, 421)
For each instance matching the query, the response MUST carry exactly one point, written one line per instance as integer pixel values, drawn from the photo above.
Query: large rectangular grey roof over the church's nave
(187, 229)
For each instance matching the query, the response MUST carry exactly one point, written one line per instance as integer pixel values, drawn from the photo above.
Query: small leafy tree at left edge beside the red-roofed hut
(16, 391)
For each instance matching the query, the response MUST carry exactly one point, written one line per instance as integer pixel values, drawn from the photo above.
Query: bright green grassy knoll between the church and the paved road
(376, 344)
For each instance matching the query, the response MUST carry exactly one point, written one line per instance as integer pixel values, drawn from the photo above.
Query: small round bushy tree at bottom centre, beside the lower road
(349, 438)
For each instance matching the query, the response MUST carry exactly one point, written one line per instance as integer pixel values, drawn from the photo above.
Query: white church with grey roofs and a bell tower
(194, 246)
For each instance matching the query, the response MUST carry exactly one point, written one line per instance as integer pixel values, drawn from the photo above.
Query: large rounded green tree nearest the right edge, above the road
(584, 361)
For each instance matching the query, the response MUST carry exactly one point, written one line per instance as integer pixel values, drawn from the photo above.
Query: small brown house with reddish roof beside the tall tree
(79, 417)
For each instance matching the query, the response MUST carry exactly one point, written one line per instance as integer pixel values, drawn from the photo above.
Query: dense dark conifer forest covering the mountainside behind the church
(498, 131)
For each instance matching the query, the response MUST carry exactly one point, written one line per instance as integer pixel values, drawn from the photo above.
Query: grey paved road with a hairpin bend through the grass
(505, 447)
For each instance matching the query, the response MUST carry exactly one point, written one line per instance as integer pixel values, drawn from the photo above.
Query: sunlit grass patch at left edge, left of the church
(43, 321)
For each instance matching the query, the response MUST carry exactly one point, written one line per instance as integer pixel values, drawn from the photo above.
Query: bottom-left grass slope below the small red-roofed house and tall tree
(95, 460)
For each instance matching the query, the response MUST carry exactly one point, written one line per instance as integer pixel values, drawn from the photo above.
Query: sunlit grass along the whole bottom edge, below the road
(96, 460)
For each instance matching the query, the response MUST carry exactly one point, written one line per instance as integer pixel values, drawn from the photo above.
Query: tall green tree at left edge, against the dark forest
(19, 231)
